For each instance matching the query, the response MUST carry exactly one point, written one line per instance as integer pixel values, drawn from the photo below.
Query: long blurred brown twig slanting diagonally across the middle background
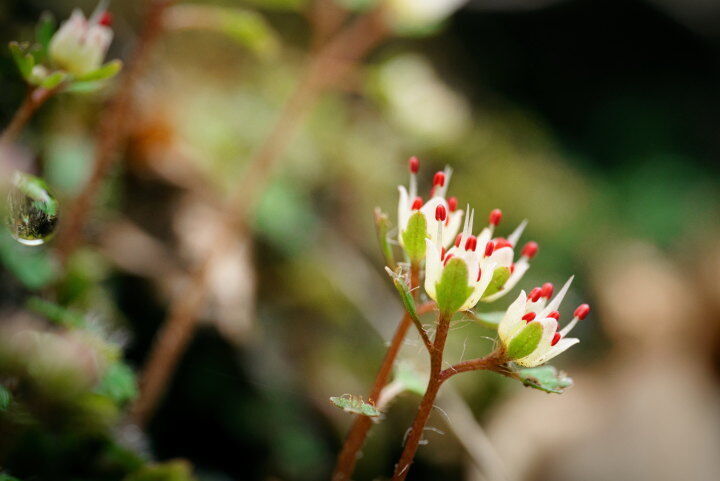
(327, 65)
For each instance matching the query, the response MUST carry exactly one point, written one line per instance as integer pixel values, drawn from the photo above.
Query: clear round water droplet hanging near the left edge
(32, 213)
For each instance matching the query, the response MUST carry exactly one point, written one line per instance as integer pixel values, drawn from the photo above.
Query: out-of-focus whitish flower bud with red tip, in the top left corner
(79, 46)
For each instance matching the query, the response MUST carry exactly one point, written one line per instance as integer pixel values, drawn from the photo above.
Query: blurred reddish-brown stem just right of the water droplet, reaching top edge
(112, 131)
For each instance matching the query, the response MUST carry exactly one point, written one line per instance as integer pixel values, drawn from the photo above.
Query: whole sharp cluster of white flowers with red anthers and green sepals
(463, 268)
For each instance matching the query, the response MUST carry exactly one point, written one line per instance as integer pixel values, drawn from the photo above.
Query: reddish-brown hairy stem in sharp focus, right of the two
(418, 426)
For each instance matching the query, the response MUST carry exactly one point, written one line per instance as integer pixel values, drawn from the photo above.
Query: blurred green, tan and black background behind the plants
(597, 121)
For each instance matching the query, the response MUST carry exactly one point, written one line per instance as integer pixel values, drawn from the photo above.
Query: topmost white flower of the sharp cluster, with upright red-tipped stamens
(410, 202)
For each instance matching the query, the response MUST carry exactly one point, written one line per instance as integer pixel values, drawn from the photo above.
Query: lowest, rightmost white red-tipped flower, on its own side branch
(534, 309)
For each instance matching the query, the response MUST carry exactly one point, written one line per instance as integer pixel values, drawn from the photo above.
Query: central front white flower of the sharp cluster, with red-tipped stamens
(478, 254)
